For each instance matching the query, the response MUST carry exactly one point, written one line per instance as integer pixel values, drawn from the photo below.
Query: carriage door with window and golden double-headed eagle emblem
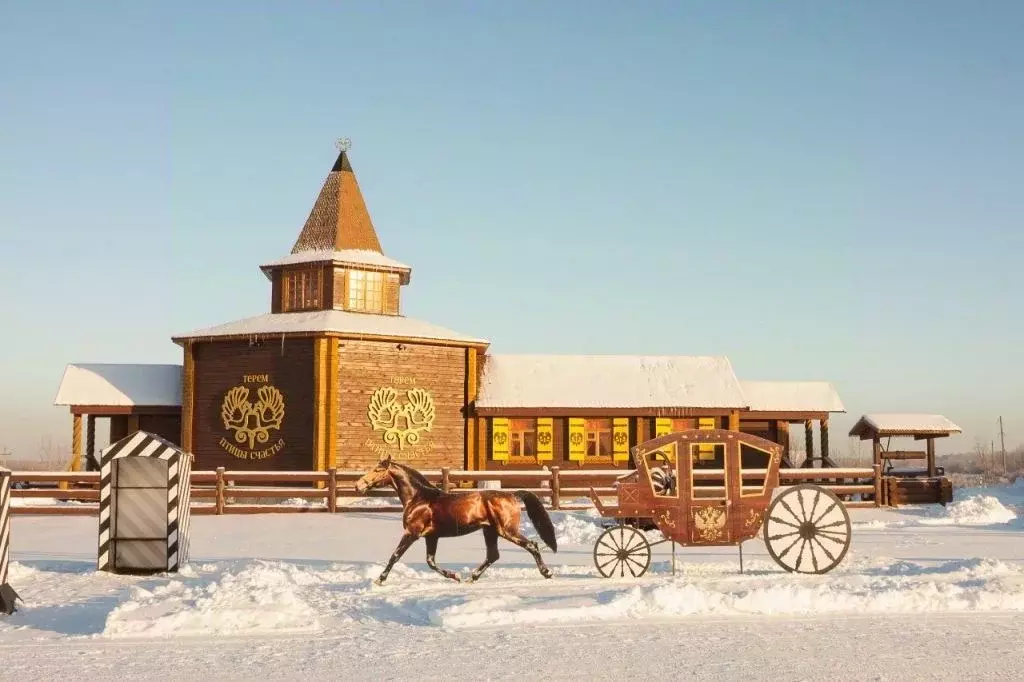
(714, 472)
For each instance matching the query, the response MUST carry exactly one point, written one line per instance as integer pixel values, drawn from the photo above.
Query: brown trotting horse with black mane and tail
(432, 514)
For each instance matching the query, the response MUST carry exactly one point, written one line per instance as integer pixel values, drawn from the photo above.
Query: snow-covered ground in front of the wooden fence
(924, 593)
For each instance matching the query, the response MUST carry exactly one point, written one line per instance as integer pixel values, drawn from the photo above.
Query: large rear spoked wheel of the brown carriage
(807, 530)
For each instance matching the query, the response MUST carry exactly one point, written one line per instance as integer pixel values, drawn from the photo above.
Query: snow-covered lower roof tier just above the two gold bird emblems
(342, 322)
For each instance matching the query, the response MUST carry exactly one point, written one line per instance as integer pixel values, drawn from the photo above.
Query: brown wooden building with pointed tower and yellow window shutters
(335, 375)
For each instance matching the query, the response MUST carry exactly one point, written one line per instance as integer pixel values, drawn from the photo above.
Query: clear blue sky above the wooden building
(819, 191)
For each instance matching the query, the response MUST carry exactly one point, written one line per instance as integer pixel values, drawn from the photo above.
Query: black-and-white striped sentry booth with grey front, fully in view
(145, 485)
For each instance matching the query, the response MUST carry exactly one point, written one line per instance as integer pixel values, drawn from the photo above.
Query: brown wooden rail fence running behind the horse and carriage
(224, 492)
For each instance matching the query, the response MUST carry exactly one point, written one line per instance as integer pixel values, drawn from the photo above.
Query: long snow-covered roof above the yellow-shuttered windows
(609, 381)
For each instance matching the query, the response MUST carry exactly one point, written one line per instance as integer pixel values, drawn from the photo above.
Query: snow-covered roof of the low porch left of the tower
(120, 386)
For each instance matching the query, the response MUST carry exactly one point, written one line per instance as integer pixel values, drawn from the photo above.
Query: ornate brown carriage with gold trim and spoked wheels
(715, 488)
